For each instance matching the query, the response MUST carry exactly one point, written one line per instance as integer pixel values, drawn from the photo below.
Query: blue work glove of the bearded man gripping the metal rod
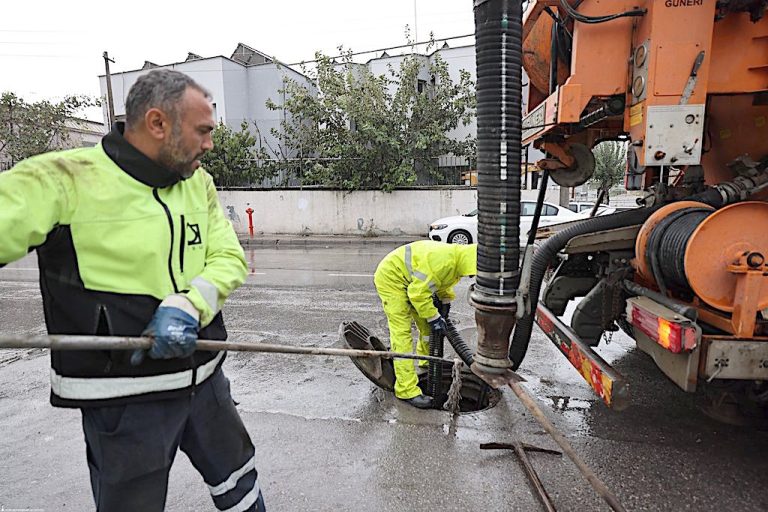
(173, 329)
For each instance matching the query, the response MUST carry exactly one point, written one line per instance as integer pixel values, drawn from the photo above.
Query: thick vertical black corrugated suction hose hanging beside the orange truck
(498, 49)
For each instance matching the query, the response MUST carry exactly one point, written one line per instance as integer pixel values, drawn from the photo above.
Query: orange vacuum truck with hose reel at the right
(684, 83)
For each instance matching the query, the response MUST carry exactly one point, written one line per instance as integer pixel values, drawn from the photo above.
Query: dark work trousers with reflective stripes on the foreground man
(130, 450)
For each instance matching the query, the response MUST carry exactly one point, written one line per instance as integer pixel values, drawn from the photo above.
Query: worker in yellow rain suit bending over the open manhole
(406, 279)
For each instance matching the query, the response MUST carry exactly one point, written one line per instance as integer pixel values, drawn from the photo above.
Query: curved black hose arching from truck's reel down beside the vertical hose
(545, 255)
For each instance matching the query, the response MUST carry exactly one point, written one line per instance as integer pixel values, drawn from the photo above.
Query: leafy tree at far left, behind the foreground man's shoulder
(28, 129)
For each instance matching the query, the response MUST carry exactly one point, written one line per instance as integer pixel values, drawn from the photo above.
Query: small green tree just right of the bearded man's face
(235, 160)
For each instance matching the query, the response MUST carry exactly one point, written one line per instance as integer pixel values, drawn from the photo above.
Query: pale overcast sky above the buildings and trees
(51, 48)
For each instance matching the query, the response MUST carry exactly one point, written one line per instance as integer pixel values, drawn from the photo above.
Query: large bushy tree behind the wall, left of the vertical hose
(354, 130)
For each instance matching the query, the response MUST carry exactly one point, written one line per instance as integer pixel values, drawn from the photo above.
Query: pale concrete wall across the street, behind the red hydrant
(333, 212)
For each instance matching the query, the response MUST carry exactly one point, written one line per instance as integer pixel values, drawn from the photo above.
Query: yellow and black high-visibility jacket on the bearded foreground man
(115, 234)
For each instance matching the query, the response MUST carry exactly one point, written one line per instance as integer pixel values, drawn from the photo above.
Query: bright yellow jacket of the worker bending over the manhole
(423, 268)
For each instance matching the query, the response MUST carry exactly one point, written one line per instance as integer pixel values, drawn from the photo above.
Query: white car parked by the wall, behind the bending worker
(462, 229)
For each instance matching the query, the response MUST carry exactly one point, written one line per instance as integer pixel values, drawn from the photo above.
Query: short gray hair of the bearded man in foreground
(160, 88)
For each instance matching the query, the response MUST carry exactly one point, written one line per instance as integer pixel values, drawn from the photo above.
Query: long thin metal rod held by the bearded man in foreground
(66, 342)
